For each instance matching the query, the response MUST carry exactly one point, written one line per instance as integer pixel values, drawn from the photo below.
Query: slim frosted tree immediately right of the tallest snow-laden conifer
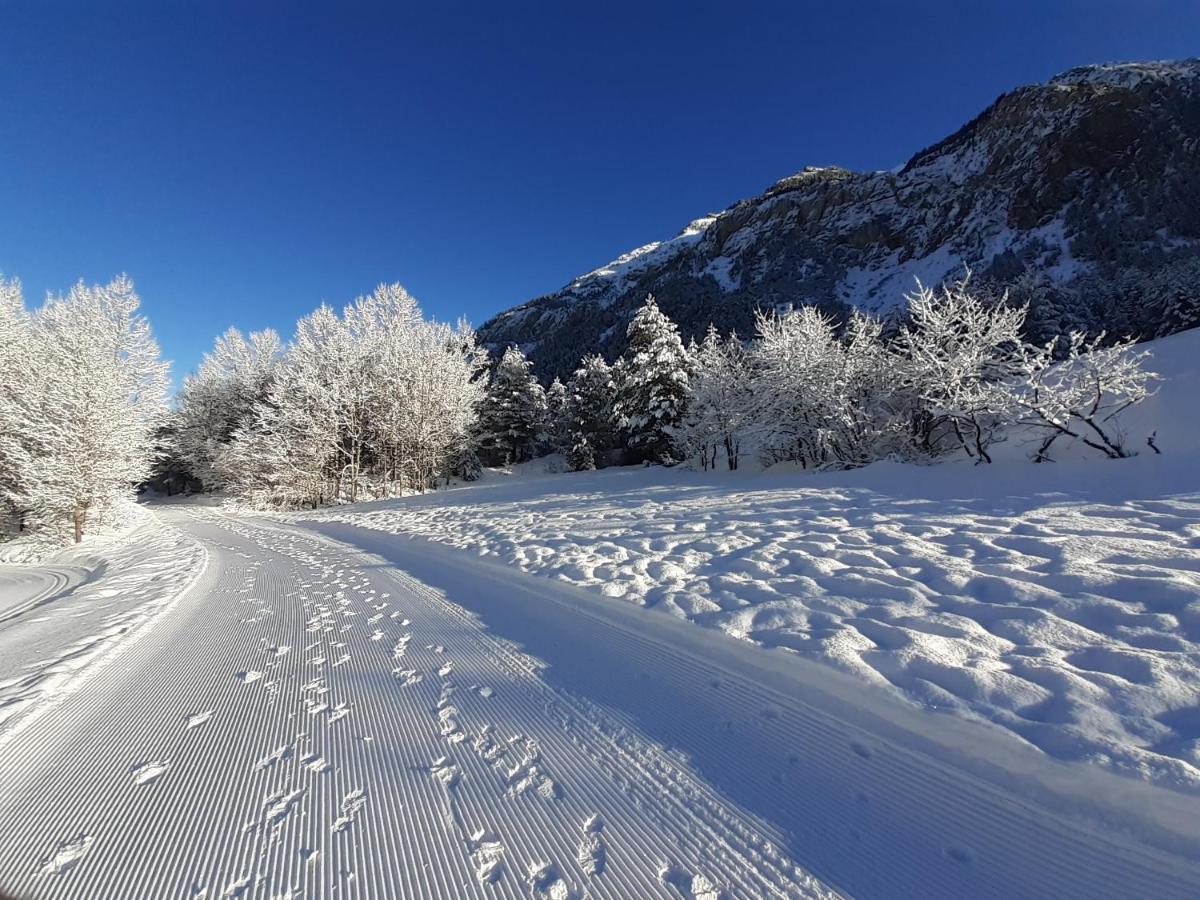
(721, 403)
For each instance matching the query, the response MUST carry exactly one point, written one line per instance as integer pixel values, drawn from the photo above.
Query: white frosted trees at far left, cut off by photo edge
(82, 392)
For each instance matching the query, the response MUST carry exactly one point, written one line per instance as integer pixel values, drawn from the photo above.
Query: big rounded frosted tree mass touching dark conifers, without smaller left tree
(377, 400)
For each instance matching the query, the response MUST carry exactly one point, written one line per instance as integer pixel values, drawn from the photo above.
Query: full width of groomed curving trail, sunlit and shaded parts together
(319, 719)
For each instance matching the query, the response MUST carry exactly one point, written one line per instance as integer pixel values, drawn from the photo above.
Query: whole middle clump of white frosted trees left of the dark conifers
(368, 404)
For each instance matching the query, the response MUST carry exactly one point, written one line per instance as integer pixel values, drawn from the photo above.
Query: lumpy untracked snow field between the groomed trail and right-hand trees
(1060, 602)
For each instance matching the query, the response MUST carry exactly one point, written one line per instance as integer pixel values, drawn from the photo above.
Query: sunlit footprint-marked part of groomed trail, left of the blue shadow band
(307, 725)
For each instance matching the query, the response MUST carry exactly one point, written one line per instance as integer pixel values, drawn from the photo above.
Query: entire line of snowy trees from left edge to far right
(379, 401)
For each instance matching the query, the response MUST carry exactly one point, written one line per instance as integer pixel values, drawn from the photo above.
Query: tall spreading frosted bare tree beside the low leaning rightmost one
(956, 349)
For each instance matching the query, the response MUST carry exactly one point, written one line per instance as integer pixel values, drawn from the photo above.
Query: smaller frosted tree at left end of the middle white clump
(214, 403)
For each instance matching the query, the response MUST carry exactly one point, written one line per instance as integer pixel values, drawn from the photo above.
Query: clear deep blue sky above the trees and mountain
(245, 163)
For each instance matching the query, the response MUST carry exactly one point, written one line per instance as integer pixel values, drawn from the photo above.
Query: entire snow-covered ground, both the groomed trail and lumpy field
(949, 681)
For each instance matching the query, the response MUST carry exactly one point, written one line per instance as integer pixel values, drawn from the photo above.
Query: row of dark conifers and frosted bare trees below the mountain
(955, 379)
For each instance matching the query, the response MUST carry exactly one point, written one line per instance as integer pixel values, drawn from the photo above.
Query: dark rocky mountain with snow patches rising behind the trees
(1082, 196)
